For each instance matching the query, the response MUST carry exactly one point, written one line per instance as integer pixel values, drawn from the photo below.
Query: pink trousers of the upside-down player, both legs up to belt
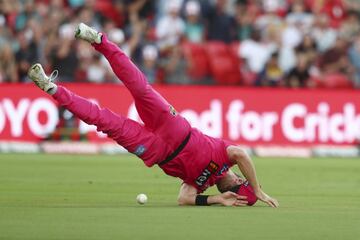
(164, 129)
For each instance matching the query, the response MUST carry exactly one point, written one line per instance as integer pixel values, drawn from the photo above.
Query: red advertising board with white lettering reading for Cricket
(250, 116)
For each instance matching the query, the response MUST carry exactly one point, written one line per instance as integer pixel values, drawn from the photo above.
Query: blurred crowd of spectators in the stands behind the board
(291, 43)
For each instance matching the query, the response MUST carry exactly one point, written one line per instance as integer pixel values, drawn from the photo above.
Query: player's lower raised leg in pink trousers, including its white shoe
(128, 133)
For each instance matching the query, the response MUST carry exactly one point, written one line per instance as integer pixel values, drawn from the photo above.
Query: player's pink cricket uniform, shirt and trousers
(201, 162)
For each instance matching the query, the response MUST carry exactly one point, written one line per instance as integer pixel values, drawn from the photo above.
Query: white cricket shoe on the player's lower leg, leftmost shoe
(37, 75)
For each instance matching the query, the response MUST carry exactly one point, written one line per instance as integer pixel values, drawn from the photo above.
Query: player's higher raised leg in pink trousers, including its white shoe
(158, 115)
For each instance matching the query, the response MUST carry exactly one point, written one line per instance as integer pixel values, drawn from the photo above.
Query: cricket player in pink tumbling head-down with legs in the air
(166, 139)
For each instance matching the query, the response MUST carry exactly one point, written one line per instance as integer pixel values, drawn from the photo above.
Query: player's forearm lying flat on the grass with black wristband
(188, 196)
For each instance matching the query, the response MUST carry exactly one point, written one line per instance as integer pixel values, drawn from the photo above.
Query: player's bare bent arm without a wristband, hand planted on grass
(247, 168)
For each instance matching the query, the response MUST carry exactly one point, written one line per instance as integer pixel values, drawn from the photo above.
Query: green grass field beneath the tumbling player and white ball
(93, 197)
